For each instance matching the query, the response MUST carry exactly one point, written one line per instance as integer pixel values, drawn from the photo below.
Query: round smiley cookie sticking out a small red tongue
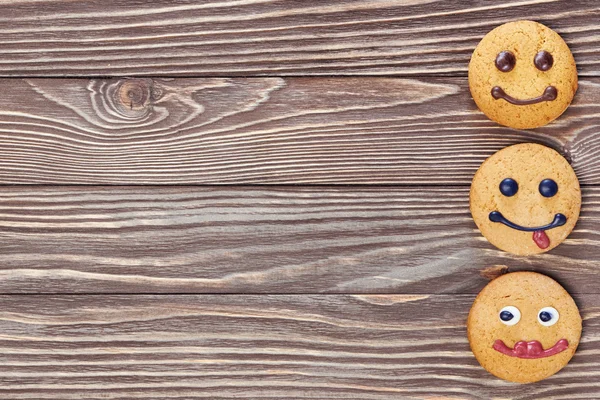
(525, 199)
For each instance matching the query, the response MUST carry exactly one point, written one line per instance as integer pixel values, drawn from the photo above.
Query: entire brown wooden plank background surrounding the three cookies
(259, 199)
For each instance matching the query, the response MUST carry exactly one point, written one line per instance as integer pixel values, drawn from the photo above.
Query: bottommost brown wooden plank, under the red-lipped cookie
(261, 347)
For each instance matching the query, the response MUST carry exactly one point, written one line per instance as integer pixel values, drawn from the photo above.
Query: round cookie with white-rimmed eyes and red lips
(523, 327)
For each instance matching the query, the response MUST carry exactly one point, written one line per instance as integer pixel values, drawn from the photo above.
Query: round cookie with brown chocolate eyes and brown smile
(522, 75)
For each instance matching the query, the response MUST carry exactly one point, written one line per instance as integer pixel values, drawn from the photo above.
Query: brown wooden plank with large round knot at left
(266, 130)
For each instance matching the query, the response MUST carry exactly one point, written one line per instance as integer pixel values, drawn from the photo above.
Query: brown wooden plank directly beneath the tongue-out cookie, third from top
(265, 240)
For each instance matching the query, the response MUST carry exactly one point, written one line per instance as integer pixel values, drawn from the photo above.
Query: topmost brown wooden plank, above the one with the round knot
(266, 37)
